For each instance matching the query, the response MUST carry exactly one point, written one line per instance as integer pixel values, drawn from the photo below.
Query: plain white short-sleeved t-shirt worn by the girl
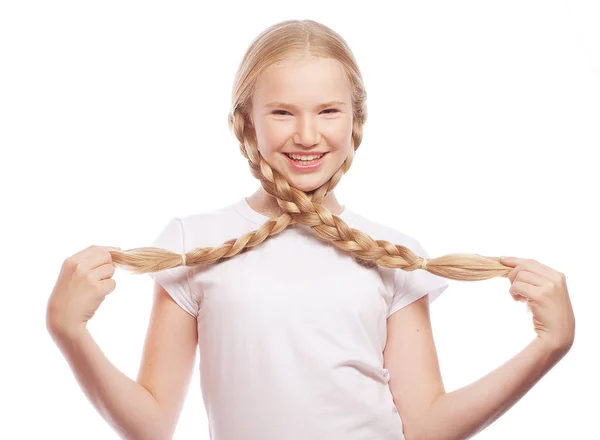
(291, 332)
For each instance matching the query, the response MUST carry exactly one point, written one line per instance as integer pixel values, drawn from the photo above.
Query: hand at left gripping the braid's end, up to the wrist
(84, 281)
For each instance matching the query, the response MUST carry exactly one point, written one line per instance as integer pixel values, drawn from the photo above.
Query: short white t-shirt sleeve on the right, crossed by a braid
(409, 286)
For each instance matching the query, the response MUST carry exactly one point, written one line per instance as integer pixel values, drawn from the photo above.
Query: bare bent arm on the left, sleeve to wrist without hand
(147, 409)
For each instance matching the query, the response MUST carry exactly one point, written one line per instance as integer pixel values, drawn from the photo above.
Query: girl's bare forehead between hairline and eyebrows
(302, 80)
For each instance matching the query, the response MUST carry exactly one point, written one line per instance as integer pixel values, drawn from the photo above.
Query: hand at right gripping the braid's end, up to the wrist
(545, 291)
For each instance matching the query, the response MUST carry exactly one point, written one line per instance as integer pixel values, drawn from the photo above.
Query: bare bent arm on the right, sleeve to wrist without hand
(427, 411)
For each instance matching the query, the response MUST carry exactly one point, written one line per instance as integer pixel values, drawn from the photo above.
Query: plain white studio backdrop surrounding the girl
(483, 137)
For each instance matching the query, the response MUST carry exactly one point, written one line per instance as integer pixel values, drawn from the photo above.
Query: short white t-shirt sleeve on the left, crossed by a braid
(175, 280)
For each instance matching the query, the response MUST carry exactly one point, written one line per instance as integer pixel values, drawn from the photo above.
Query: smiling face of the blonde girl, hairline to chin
(302, 107)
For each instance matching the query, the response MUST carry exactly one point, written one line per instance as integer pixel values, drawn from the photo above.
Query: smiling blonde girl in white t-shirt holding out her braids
(311, 323)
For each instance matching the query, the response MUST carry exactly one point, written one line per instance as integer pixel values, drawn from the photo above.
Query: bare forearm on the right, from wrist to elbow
(462, 413)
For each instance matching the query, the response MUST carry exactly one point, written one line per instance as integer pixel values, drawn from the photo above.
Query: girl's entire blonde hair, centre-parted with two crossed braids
(278, 42)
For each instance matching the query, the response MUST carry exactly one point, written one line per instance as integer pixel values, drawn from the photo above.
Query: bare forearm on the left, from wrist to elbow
(126, 405)
